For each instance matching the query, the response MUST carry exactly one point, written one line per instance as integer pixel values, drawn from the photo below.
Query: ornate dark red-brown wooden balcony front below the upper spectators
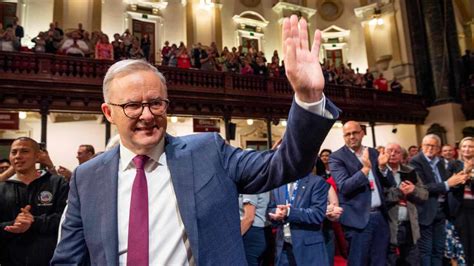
(44, 82)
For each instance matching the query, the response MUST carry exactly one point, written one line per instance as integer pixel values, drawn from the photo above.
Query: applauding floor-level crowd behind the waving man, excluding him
(401, 206)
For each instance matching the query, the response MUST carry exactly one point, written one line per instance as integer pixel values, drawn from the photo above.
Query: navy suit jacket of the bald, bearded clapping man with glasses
(353, 186)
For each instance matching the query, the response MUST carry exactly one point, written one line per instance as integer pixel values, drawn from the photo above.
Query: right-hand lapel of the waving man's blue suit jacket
(180, 164)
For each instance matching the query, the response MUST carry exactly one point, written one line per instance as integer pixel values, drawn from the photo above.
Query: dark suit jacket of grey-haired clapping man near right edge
(428, 209)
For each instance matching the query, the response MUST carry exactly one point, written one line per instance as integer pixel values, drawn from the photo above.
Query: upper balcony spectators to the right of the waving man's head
(248, 60)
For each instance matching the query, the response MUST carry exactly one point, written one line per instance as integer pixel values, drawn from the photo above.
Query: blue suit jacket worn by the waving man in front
(207, 177)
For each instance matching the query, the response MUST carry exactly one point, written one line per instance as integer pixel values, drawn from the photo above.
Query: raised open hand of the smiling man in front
(302, 65)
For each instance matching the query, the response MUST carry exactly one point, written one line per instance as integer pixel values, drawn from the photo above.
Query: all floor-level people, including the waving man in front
(156, 199)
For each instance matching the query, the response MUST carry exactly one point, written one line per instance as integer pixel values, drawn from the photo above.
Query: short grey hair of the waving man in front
(126, 67)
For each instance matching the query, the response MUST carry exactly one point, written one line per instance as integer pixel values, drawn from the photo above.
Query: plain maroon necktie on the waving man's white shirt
(137, 253)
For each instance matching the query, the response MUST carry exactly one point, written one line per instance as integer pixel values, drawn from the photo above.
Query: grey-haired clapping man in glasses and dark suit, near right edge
(432, 213)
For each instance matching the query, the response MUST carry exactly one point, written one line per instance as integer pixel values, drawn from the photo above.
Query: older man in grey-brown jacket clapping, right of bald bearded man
(403, 190)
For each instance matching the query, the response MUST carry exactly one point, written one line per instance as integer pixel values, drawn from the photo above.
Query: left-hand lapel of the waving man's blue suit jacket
(107, 173)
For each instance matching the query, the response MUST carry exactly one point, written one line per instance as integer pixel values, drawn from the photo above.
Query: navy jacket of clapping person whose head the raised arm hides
(306, 218)
